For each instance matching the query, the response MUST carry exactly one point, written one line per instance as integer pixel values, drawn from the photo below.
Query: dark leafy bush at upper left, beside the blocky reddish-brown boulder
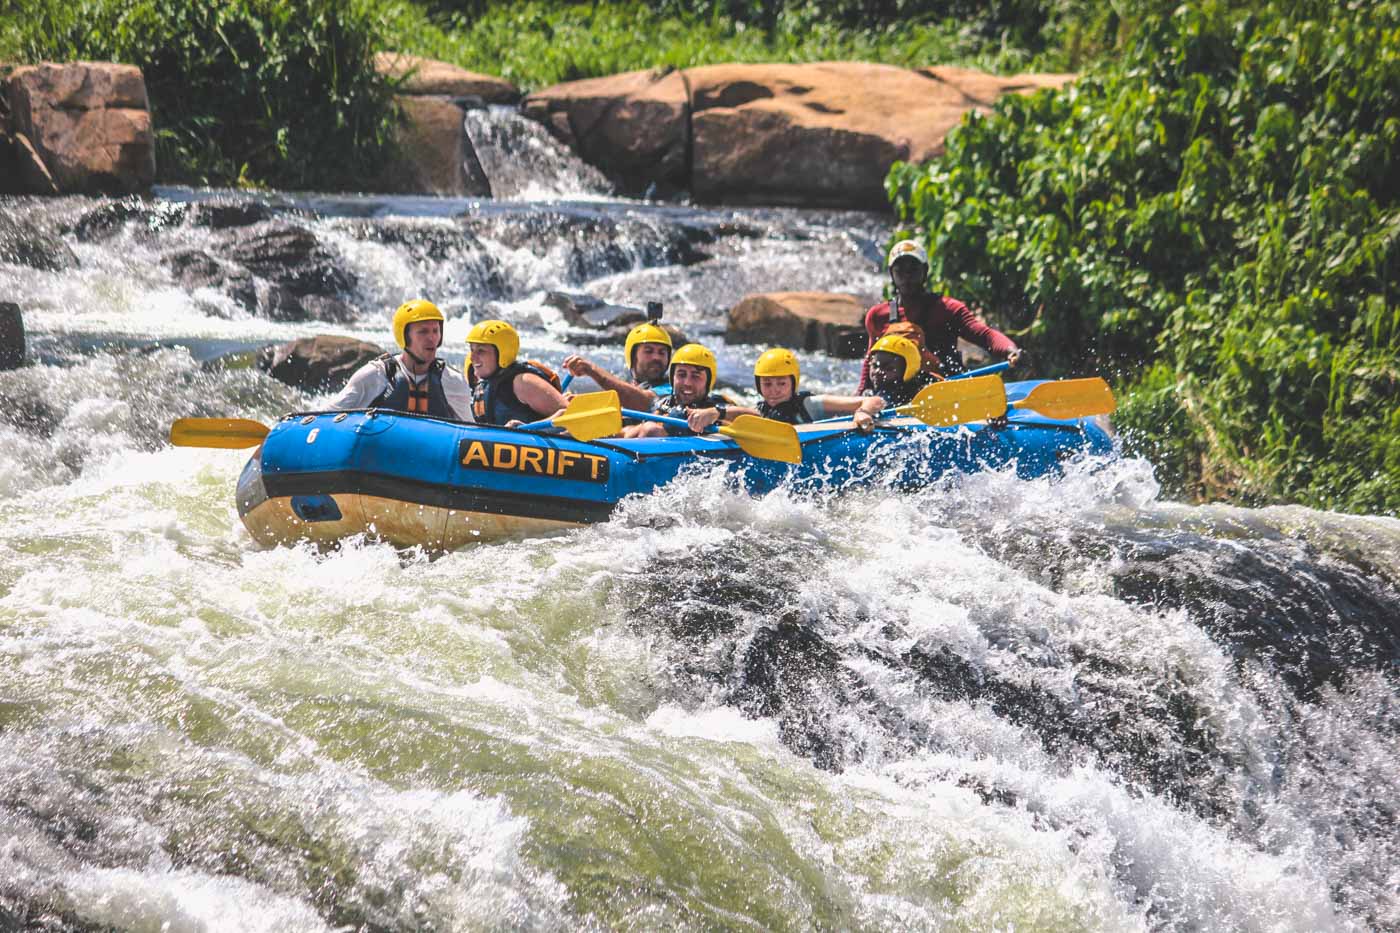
(254, 92)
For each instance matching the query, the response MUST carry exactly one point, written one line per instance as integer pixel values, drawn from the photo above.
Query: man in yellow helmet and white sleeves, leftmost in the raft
(415, 380)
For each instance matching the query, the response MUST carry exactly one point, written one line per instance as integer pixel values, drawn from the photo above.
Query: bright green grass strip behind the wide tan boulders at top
(540, 43)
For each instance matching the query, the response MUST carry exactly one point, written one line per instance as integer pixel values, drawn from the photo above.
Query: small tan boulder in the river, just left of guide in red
(825, 322)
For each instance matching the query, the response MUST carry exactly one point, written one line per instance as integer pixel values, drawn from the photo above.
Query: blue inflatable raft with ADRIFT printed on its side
(418, 481)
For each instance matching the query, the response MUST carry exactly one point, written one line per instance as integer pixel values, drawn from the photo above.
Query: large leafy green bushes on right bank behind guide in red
(1213, 218)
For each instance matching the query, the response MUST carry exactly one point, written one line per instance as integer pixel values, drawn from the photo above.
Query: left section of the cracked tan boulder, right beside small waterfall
(633, 127)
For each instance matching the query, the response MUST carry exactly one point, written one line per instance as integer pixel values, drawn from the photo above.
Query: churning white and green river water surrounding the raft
(990, 705)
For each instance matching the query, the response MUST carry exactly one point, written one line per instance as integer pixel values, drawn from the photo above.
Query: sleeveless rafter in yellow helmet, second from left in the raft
(507, 390)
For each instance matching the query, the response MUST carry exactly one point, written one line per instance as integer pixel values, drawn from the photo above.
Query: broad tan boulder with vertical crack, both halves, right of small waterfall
(818, 134)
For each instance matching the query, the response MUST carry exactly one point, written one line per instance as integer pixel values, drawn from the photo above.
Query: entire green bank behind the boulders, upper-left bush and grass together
(285, 95)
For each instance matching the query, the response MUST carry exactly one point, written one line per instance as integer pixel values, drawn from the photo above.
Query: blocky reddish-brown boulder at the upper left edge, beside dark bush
(87, 124)
